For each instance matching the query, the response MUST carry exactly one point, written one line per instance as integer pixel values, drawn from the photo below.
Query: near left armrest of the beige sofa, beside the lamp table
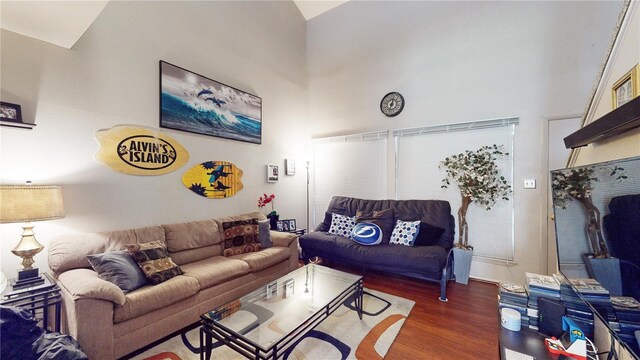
(86, 284)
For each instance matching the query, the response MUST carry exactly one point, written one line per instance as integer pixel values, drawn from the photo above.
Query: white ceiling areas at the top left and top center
(63, 22)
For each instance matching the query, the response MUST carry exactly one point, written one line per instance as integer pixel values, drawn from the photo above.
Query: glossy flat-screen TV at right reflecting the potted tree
(597, 219)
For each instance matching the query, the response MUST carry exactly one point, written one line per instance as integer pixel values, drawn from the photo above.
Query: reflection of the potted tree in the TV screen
(577, 185)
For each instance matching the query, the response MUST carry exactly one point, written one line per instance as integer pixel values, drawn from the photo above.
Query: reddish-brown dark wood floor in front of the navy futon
(466, 327)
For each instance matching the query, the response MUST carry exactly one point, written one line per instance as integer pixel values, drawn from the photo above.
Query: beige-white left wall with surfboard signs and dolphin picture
(110, 77)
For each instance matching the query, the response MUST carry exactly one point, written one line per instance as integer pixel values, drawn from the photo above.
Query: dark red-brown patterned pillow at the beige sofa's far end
(240, 237)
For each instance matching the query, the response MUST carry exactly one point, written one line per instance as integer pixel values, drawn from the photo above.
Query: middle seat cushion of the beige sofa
(215, 270)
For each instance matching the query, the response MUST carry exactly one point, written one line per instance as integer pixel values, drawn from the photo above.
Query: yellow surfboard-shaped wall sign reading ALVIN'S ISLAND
(140, 151)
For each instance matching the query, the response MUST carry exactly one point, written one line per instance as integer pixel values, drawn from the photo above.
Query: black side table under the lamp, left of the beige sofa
(37, 299)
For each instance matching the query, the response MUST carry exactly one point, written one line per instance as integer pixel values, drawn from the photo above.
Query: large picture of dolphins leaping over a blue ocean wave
(194, 103)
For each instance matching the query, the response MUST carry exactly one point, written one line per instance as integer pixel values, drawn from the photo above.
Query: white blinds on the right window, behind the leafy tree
(418, 154)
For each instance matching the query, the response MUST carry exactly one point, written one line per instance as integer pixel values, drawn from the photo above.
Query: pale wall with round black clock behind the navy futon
(459, 62)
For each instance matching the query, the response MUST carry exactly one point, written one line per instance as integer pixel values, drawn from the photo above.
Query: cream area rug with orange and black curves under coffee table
(341, 336)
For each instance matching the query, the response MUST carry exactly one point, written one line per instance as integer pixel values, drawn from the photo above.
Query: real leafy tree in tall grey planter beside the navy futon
(478, 178)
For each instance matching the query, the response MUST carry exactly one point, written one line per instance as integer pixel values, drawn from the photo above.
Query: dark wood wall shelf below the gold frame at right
(622, 119)
